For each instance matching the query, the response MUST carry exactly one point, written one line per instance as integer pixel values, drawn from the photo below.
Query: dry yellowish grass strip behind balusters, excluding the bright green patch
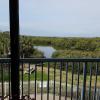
(69, 77)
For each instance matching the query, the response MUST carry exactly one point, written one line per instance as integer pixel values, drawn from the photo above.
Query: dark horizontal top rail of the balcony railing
(37, 60)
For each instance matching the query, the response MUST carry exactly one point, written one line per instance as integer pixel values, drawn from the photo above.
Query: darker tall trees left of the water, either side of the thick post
(26, 46)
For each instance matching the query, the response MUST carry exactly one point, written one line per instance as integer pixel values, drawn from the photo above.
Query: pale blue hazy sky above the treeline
(64, 18)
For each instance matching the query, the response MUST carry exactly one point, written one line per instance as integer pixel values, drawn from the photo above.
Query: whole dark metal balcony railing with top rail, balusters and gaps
(53, 79)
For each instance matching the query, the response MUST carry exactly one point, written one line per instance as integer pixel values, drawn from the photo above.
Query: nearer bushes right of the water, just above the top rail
(76, 54)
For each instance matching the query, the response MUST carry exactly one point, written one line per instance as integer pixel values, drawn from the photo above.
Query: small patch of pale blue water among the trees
(47, 50)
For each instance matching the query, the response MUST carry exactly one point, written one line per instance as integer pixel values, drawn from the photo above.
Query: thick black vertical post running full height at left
(14, 41)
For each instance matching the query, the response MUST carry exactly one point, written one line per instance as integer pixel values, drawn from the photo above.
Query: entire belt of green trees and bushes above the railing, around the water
(66, 47)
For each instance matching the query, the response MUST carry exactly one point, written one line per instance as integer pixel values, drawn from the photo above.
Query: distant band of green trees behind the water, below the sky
(86, 44)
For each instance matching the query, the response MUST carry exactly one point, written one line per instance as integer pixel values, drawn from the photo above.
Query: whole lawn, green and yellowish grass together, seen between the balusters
(45, 76)
